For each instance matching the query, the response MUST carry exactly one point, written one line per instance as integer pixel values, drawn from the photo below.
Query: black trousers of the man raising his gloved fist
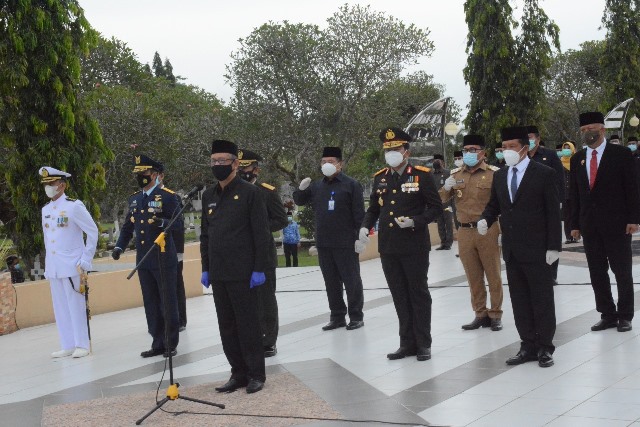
(341, 266)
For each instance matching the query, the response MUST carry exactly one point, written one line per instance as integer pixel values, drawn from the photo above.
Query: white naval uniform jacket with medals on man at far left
(63, 222)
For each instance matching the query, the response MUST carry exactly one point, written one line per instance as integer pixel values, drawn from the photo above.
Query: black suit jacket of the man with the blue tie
(531, 224)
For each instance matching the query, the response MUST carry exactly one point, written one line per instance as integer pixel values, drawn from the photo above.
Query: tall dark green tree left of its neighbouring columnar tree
(490, 67)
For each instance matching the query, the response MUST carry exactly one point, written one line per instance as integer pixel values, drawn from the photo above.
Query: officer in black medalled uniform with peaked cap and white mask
(405, 200)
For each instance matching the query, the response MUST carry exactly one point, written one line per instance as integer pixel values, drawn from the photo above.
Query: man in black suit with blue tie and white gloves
(524, 196)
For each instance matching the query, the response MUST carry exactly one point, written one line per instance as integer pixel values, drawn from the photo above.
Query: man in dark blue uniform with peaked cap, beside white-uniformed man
(150, 211)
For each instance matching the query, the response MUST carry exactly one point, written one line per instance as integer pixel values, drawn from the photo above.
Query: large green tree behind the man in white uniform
(41, 122)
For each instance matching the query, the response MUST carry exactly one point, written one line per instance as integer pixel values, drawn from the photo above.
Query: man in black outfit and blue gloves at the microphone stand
(234, 246)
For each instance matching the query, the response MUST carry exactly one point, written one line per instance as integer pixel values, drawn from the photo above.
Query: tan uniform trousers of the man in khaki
(480, 256)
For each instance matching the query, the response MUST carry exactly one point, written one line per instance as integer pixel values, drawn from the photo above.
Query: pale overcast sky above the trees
(198, 36)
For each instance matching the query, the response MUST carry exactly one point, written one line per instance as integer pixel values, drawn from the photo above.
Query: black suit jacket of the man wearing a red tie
(614, 201)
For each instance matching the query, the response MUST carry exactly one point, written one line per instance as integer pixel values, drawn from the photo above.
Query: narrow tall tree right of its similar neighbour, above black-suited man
(533, 58)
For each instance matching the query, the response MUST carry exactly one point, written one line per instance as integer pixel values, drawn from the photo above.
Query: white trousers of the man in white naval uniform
(70, 310)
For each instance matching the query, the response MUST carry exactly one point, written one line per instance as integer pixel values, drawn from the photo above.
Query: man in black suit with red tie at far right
(606, 213)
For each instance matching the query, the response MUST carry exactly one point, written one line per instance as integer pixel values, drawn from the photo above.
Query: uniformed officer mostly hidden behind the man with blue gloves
(267, 302)
